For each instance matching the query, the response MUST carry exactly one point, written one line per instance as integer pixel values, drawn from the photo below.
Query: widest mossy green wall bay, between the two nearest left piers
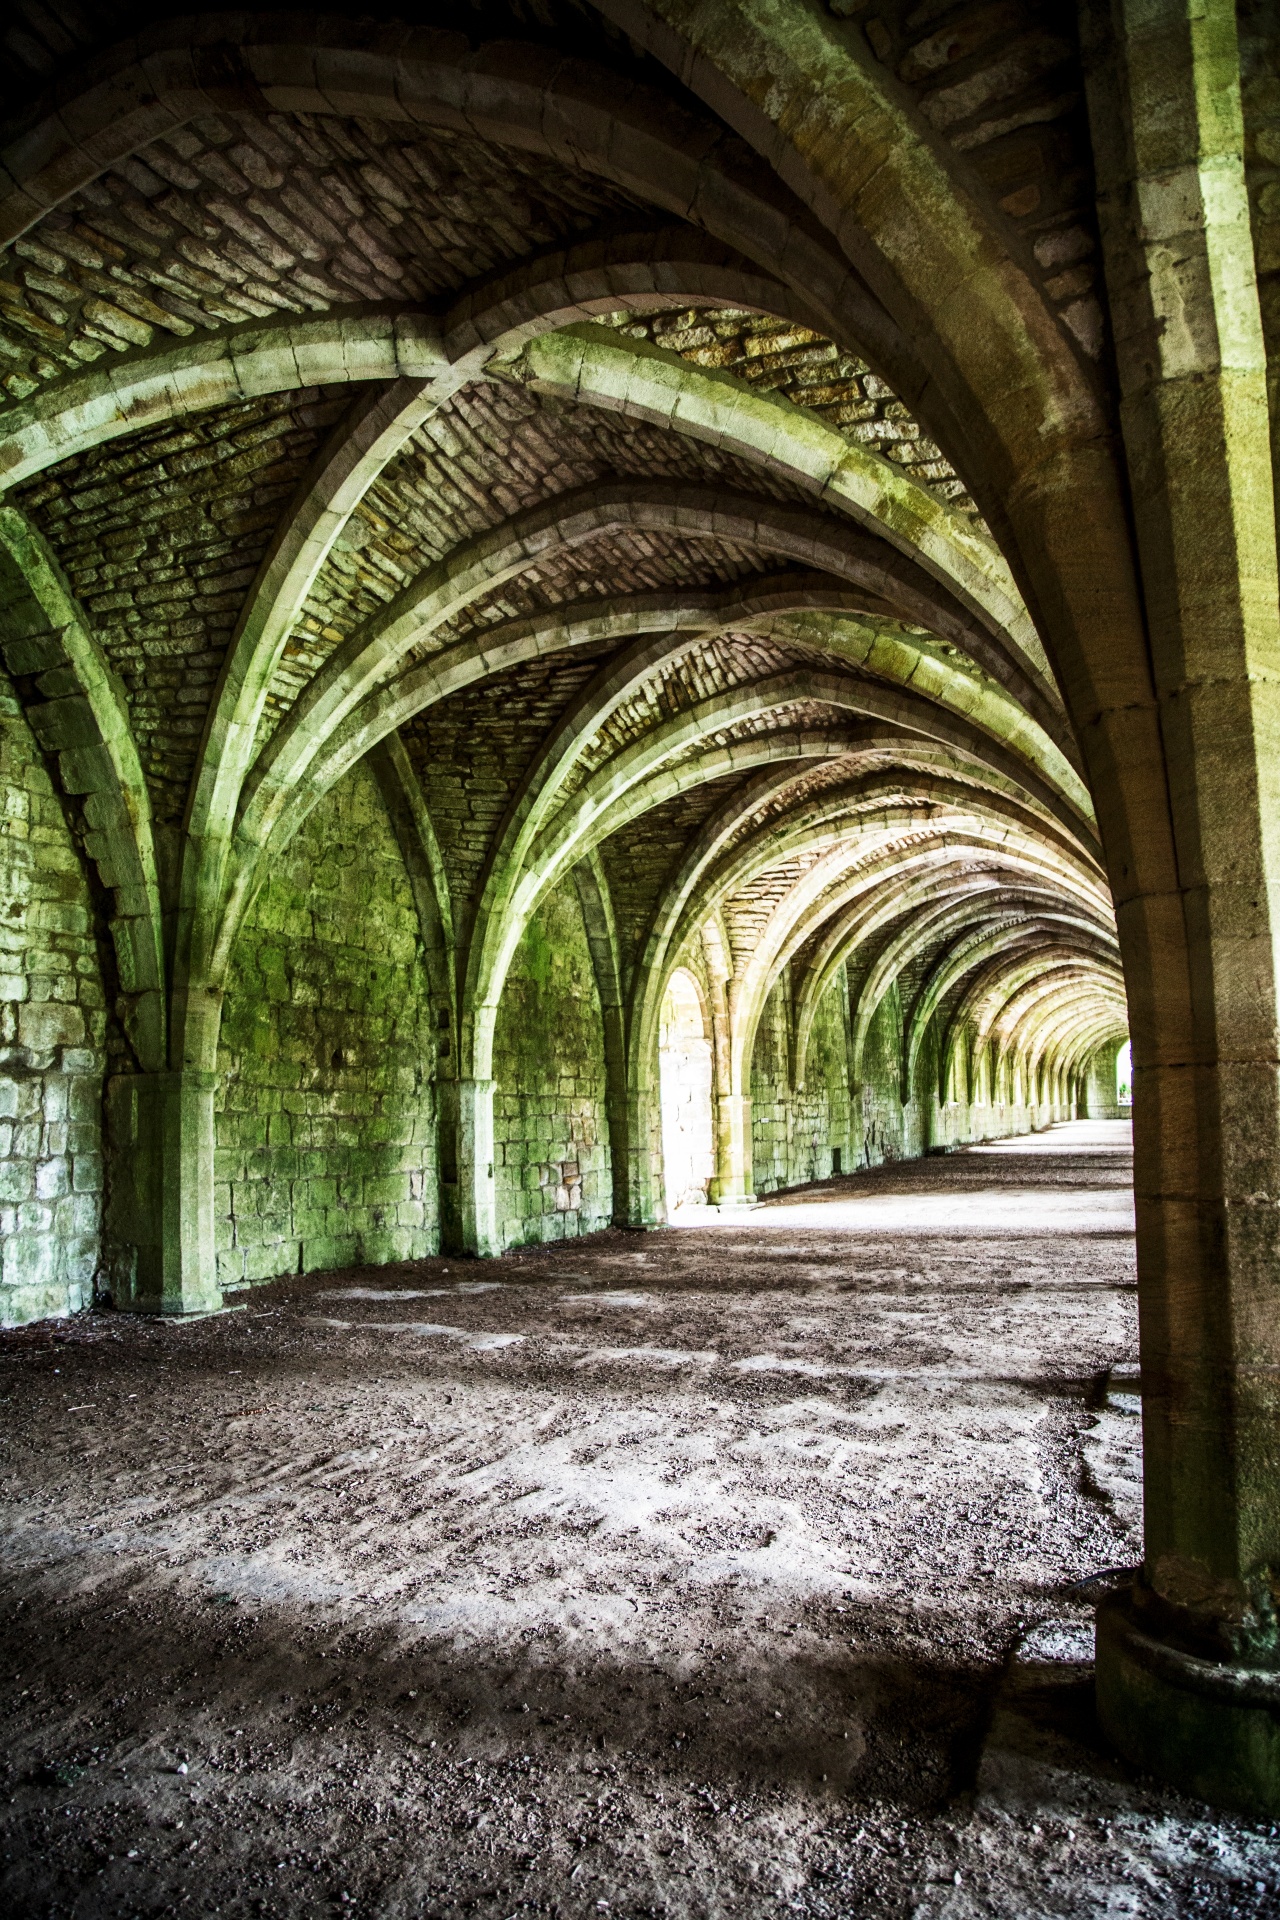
(327, 1107)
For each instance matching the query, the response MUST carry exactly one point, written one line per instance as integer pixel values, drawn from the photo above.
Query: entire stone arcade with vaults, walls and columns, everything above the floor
(602, 581)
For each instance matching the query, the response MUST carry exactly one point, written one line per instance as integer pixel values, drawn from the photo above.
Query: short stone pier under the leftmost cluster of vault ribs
(160, 1203)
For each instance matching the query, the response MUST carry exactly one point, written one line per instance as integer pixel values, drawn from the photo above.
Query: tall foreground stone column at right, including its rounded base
(1189, 1662)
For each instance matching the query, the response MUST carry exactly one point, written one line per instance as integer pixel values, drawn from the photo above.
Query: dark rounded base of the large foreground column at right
(1208, 1729)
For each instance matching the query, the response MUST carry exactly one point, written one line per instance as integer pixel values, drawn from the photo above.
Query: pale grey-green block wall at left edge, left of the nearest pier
(53, 1032)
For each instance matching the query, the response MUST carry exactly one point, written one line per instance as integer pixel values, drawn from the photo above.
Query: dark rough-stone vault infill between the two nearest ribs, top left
(245, 216)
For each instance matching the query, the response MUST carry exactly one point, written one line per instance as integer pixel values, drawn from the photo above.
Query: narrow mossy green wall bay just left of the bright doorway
(552, 1163)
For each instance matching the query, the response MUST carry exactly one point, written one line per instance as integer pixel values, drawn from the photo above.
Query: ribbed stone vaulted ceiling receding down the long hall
(481, 408)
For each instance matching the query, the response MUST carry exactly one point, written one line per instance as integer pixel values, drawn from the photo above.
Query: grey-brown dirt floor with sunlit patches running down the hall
(732, 1570)
